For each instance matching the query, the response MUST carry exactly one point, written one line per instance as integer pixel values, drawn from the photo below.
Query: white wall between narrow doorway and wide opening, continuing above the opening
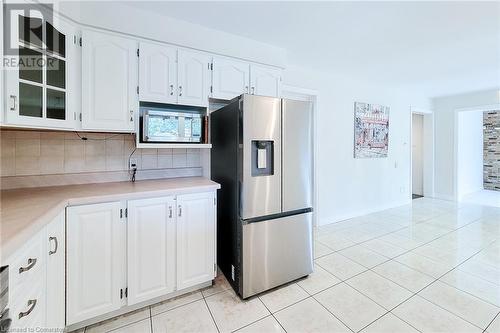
(444, 133)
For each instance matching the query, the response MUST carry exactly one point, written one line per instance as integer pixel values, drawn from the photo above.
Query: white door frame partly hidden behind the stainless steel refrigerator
(305, 94)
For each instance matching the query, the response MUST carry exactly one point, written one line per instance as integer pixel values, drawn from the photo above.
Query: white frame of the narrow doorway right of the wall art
(428, 151)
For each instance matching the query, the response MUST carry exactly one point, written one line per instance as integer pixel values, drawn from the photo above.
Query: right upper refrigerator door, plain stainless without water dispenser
(297, 154)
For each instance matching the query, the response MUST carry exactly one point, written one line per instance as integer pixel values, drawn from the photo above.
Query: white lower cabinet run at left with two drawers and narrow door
(36, 281)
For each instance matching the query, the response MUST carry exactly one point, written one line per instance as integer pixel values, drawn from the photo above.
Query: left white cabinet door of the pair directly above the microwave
(157, 73)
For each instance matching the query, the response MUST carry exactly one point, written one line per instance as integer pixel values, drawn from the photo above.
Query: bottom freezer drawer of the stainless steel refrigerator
(275, 252)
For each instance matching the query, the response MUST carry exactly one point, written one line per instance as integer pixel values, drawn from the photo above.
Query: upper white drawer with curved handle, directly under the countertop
(27, 267)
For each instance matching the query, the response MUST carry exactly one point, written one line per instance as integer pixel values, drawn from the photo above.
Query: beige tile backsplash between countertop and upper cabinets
(26, 153)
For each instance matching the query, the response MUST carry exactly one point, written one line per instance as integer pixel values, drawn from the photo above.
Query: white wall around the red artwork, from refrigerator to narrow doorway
(350, 187)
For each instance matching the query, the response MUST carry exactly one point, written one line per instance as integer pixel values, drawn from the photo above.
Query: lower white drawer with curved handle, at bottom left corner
(32, 319)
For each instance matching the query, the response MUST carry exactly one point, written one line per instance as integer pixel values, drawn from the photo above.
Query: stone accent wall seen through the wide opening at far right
(491, 150)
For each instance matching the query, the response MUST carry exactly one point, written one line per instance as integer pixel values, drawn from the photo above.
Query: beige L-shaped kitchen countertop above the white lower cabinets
(24, 212)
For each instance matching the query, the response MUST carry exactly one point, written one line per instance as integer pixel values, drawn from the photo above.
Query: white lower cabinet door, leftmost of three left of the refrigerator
(94, 260)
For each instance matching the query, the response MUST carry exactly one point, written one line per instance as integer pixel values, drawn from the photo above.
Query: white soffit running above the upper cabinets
(119, 17)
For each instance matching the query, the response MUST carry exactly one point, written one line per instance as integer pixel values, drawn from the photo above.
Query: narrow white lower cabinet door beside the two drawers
(55, 238)
